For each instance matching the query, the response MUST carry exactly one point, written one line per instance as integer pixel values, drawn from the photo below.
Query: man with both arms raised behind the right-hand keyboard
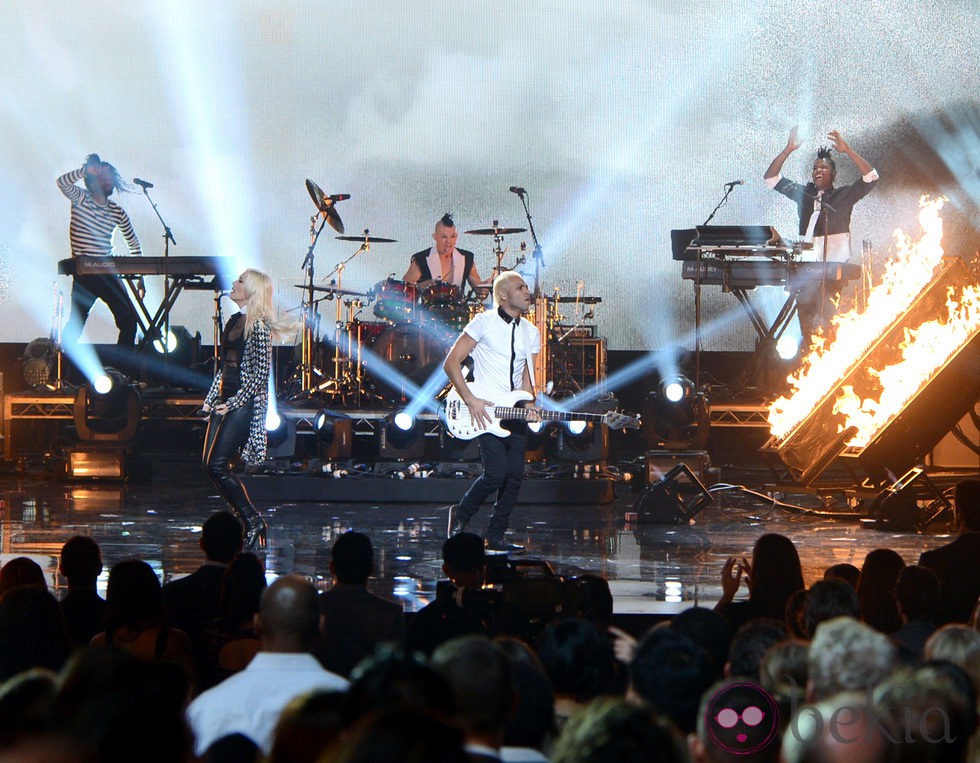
(825, 218)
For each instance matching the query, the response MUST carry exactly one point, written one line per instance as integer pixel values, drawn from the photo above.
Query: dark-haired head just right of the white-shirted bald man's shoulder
(391, 679)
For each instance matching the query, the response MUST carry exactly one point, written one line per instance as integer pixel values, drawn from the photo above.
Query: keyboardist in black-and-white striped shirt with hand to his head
(94, 219)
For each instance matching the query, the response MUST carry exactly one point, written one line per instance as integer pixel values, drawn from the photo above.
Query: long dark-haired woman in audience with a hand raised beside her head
(774, 575)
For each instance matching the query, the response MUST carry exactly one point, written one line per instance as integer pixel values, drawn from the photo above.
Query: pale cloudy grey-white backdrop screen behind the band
(623, 120)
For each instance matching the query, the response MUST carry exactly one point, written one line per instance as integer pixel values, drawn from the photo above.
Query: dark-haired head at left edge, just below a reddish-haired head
(32, 632)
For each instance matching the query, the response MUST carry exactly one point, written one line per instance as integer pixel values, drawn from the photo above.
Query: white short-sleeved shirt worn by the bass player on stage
(492, 354)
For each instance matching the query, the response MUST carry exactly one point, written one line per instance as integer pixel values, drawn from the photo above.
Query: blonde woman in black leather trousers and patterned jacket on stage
(239, 397)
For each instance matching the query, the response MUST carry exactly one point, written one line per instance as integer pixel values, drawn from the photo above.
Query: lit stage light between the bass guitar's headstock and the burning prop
(675, 415)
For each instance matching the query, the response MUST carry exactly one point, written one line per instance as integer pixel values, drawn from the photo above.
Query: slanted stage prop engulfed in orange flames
(893, 378)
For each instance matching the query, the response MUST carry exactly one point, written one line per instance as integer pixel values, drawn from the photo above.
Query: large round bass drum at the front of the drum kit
(407, 352)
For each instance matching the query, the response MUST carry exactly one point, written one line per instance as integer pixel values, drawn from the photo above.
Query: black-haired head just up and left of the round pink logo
(669, 672)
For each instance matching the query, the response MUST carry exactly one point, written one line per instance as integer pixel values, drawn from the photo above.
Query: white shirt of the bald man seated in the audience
(251, 701)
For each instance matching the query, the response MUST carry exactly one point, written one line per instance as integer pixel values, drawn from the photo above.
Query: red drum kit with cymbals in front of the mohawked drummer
(413, 325)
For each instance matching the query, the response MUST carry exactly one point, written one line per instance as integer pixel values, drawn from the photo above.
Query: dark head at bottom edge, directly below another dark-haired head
(405, 734)
